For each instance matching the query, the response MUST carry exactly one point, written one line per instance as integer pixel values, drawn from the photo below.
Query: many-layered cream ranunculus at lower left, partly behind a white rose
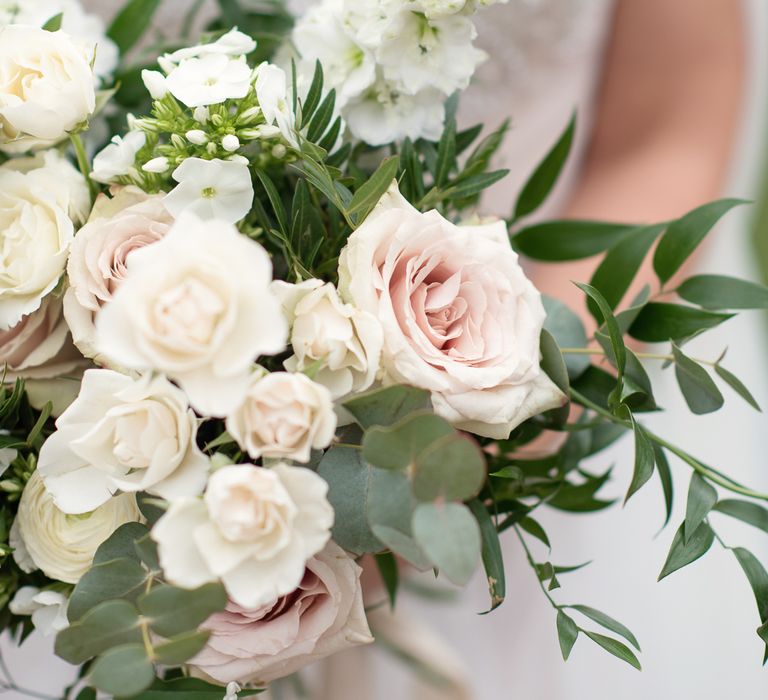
(60, 545)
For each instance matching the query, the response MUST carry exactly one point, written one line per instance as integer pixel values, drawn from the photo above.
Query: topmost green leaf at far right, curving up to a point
(684, 235)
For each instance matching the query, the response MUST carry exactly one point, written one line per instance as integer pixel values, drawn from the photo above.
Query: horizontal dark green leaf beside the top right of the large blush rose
(558, 241)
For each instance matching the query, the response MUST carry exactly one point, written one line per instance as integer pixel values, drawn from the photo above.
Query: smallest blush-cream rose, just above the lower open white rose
(283, 416)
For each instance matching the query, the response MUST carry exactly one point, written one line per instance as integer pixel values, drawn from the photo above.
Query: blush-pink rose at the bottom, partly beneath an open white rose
(323, 616)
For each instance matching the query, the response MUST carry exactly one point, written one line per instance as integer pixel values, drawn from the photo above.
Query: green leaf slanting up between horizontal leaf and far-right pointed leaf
(616, 272)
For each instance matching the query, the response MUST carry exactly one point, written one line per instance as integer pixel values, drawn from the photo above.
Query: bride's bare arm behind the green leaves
(667, 112)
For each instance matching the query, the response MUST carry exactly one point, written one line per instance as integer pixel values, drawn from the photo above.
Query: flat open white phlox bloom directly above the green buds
(209, 80)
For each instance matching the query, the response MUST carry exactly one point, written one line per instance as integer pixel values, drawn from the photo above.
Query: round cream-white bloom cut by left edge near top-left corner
(47, 87)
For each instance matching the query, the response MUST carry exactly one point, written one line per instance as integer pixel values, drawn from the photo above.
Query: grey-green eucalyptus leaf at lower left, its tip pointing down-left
(119, 578)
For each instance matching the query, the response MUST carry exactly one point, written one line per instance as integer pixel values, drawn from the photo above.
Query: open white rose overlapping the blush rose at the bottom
(255, 529)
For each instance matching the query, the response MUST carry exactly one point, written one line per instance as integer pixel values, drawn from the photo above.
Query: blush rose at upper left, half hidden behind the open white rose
(127, 221)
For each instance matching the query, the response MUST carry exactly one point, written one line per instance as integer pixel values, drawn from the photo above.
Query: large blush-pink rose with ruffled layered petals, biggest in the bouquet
(460, 318)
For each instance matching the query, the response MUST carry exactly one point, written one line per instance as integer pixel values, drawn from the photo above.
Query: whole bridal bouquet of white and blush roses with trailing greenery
(266, 336)
